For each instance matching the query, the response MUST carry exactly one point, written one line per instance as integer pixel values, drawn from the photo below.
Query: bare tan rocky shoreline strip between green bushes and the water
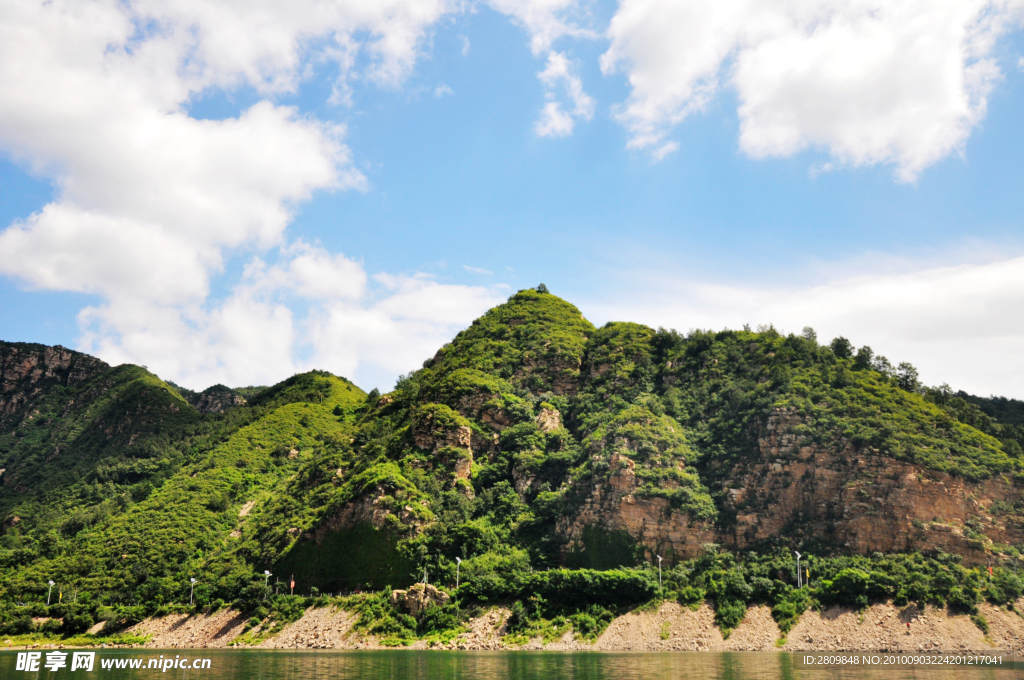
(671, 627)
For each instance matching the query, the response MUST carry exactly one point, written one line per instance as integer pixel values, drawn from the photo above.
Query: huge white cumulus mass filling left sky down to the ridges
(150, 202)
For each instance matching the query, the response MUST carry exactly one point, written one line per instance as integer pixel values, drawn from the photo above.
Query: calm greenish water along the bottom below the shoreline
(407, 665)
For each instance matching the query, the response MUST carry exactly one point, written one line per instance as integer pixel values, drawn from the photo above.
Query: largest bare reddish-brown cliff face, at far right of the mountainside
(861, 499)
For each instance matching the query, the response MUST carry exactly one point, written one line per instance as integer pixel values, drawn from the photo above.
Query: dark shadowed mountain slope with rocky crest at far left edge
(77, 434)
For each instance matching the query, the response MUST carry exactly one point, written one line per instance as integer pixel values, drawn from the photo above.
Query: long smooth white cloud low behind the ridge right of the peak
(957, 324)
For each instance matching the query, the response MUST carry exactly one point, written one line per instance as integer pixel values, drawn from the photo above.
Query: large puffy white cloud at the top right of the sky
(900, 82)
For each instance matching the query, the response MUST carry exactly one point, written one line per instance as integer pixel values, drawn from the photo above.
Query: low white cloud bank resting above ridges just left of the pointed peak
(367, 330)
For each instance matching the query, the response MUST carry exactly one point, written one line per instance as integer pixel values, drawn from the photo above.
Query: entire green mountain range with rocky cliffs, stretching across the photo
(534, 445)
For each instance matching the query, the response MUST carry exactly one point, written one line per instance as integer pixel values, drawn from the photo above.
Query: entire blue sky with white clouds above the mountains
(412, 187)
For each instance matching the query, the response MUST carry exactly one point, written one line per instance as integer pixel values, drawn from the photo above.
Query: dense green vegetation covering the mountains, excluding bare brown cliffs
(118, 489)
